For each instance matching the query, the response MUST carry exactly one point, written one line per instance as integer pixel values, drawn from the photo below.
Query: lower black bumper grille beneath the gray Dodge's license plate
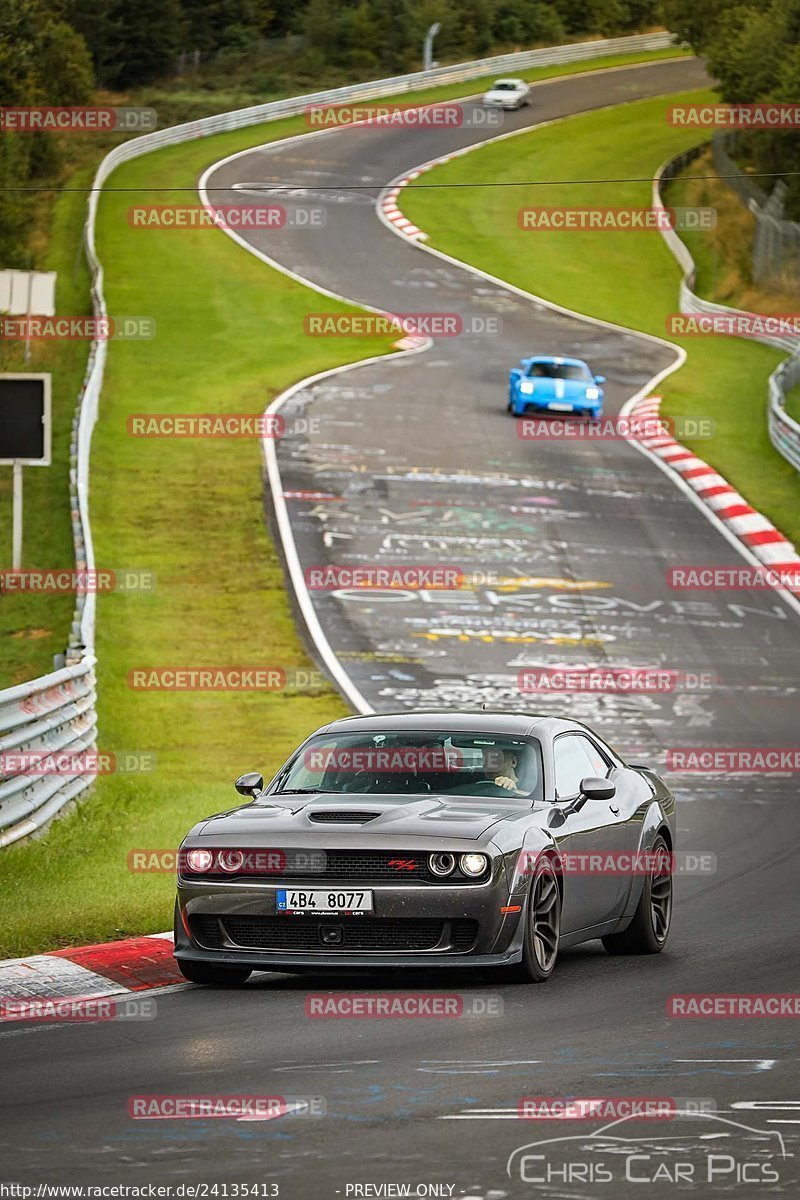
(299, 934)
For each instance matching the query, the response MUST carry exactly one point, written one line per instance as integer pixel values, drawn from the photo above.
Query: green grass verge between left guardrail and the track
(228, 339)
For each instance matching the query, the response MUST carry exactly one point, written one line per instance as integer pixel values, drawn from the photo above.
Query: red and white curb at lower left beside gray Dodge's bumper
(88, 973)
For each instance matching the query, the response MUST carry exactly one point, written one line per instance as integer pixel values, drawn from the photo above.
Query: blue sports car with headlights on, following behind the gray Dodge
(548, 385)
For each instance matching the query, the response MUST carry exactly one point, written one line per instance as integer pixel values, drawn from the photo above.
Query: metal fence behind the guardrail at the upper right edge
(777, 244)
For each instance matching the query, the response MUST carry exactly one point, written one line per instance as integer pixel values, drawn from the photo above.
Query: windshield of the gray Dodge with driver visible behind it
(417, 764)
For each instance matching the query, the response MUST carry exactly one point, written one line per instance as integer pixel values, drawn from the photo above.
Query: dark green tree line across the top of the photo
(59, 52)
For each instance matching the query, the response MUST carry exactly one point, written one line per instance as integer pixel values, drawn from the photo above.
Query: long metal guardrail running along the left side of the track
(58, 711)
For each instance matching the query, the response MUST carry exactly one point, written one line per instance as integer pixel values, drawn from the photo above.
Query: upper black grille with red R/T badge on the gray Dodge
(363, 867)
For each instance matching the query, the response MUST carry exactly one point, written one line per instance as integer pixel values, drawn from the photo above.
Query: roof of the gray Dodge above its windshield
(459, 722)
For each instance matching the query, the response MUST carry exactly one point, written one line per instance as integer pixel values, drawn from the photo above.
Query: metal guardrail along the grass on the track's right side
(785, 433)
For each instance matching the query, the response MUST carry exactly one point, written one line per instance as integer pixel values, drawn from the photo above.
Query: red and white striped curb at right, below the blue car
(750, 526)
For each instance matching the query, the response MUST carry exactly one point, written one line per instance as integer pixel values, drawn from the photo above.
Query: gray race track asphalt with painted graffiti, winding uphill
(422, 465)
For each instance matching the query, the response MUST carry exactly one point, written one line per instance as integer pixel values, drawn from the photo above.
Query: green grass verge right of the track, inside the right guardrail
(629, 279)
